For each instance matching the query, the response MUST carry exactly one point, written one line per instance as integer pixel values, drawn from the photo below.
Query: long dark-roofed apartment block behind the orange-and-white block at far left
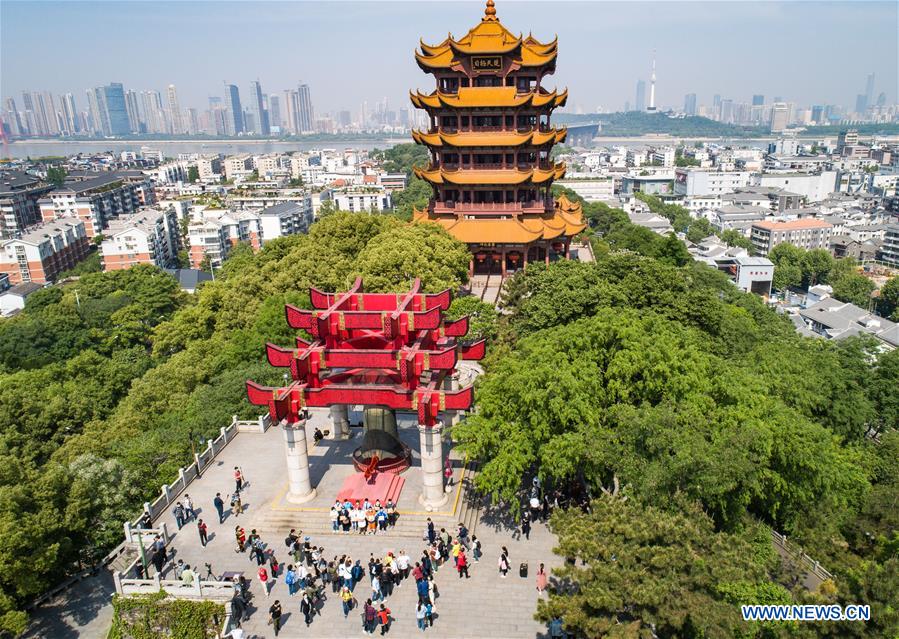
(97, 200)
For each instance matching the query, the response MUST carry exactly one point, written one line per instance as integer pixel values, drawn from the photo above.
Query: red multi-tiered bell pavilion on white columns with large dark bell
(385, 351)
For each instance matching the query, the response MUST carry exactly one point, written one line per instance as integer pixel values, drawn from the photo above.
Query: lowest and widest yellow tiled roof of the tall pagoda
(566, 220)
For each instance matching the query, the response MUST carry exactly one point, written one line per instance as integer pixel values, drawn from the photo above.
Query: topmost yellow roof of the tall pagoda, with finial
(489, 37)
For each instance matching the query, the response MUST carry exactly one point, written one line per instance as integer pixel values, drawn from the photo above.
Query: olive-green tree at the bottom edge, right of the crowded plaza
(635, 571)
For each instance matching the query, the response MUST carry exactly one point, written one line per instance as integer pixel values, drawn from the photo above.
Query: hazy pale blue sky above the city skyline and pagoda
(807, 52)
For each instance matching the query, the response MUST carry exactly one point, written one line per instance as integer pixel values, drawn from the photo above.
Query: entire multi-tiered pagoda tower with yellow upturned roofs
(490, 143)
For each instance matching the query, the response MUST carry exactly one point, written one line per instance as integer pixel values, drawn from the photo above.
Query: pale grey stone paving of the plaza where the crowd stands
(483, 606)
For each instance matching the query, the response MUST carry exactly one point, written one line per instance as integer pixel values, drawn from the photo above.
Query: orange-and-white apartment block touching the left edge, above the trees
(43, 252)
